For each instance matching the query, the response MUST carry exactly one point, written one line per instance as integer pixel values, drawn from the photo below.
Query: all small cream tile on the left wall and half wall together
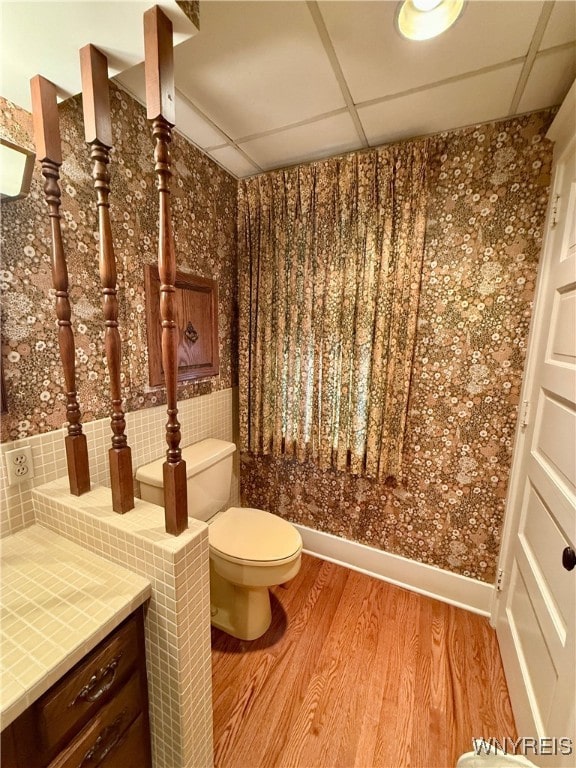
(178, 615)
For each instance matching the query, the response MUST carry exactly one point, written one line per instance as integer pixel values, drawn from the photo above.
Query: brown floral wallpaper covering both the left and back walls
(489, 189)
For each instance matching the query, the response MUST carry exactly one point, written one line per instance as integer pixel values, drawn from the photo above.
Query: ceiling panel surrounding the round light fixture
(377, 61)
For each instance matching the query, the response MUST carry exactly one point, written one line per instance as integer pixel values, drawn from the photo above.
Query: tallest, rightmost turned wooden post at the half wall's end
(159, 69)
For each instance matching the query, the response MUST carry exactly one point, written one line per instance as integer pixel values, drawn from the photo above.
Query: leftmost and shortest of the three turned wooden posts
(49, 152)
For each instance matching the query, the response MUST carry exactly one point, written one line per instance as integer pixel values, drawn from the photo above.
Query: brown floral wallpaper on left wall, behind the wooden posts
(204, 219)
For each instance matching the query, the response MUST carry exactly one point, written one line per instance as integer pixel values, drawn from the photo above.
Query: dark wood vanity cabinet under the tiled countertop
(96, 715)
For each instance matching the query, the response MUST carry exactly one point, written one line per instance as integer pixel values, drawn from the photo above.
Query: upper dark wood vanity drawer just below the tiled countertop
(70, 703)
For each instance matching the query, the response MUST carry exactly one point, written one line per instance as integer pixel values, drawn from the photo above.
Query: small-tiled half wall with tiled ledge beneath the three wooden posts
(177, 618)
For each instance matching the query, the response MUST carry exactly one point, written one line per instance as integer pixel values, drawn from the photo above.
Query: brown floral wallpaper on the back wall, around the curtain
(488, 197)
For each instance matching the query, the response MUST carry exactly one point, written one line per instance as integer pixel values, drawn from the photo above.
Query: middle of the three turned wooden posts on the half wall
(98, 133)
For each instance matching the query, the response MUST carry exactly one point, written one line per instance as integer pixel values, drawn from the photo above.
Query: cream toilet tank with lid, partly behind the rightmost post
(209, 473)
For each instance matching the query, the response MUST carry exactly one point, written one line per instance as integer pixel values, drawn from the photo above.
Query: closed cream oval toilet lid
(253, 534)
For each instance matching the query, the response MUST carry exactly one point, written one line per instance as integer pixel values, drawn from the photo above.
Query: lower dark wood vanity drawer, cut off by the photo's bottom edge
(100, 741)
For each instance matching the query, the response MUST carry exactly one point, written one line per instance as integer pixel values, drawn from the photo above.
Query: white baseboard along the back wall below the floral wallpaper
(461, 591)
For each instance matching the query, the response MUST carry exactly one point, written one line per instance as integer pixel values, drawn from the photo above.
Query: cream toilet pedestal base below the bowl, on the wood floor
(243, 612)
